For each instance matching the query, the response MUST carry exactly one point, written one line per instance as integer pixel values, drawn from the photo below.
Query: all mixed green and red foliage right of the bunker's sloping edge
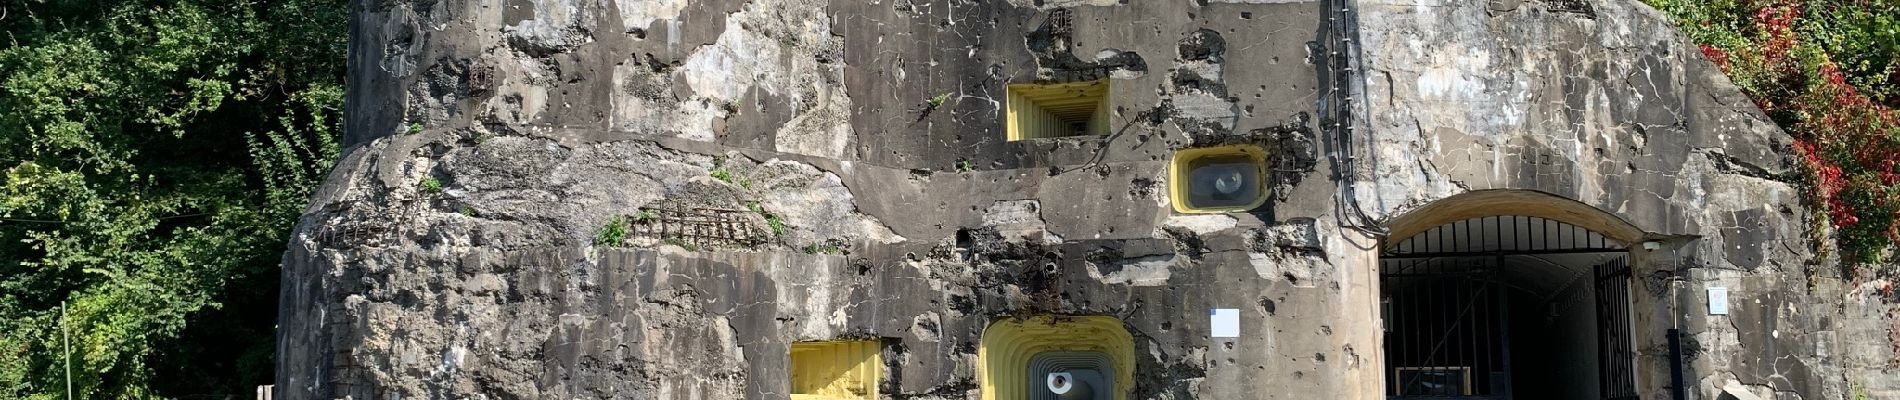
(1829, 71)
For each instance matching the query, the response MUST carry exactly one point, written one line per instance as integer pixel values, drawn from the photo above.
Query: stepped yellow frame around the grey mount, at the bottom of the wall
(1006, 350)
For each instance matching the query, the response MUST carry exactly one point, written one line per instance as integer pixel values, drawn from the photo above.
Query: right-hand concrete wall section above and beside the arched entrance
(1610, 107)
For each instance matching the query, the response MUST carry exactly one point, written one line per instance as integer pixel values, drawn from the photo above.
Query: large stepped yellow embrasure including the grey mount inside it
(1055, 357)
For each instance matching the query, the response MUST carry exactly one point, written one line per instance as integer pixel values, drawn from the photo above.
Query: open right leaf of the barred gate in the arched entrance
(1614, 352)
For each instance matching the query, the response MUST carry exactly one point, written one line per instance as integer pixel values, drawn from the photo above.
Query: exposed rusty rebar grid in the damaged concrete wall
(698, 227)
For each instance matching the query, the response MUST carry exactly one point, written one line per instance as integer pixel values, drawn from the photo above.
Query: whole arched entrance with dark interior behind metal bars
(1506, 306)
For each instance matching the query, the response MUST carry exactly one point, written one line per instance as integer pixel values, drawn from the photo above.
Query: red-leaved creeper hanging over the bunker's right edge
(1848, 143)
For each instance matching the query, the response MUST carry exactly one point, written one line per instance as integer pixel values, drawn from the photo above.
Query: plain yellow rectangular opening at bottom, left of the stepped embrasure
(837, 371)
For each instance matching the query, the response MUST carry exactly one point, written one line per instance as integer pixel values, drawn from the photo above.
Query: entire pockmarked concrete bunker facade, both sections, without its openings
(548, 118)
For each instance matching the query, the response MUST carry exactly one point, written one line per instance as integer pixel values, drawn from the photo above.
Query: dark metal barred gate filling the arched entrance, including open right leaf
(1447, 306)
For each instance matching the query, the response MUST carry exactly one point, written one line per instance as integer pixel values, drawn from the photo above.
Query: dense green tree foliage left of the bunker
(155, 156)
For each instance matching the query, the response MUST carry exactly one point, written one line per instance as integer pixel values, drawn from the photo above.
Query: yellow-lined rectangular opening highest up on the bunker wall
(1042, 111)
